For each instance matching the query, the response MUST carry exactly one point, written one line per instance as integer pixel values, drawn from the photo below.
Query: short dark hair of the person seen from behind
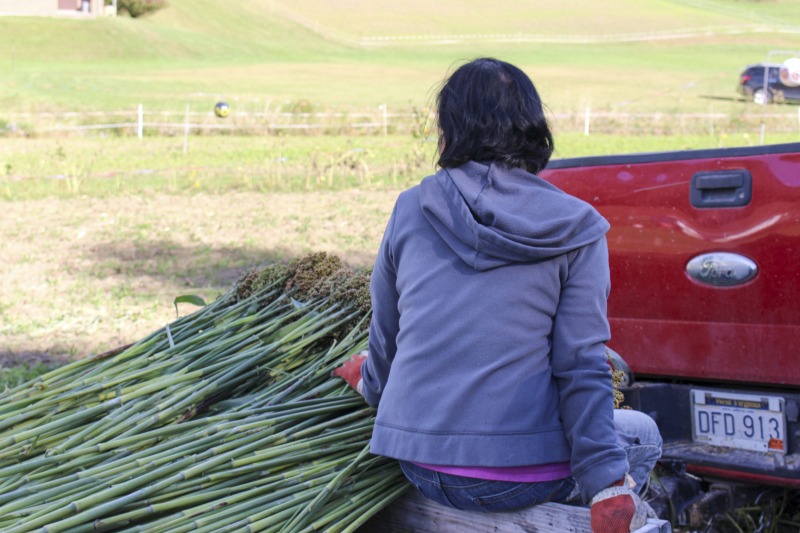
(489, 110)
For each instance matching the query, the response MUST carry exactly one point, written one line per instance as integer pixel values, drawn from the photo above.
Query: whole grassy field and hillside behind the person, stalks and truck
(104, 230)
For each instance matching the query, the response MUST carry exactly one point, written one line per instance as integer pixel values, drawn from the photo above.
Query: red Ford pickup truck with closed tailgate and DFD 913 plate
(705, 299)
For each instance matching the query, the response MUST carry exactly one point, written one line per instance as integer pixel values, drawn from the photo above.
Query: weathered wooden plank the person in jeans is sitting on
(413, 513)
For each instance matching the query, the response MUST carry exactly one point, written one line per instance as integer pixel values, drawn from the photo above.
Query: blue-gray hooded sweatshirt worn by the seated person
(486, 344)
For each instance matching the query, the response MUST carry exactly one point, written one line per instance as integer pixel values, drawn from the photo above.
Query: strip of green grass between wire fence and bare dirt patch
(123, 166)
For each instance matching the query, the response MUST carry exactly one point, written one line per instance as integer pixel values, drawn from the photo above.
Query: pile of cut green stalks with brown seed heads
(227, 419)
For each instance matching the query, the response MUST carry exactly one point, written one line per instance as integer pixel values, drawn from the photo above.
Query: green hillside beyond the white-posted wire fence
(276, 53)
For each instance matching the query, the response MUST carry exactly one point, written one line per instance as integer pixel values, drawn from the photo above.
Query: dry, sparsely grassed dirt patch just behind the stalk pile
(84, 275)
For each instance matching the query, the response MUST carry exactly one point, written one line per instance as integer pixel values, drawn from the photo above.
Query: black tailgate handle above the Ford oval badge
(721, 188)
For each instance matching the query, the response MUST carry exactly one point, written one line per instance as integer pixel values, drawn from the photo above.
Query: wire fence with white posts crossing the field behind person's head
(381, 121)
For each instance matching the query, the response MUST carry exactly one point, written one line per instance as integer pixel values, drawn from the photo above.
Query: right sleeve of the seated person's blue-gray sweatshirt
(586, 398)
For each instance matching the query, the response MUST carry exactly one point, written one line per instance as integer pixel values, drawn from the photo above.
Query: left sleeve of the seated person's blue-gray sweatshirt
(385, 322)
